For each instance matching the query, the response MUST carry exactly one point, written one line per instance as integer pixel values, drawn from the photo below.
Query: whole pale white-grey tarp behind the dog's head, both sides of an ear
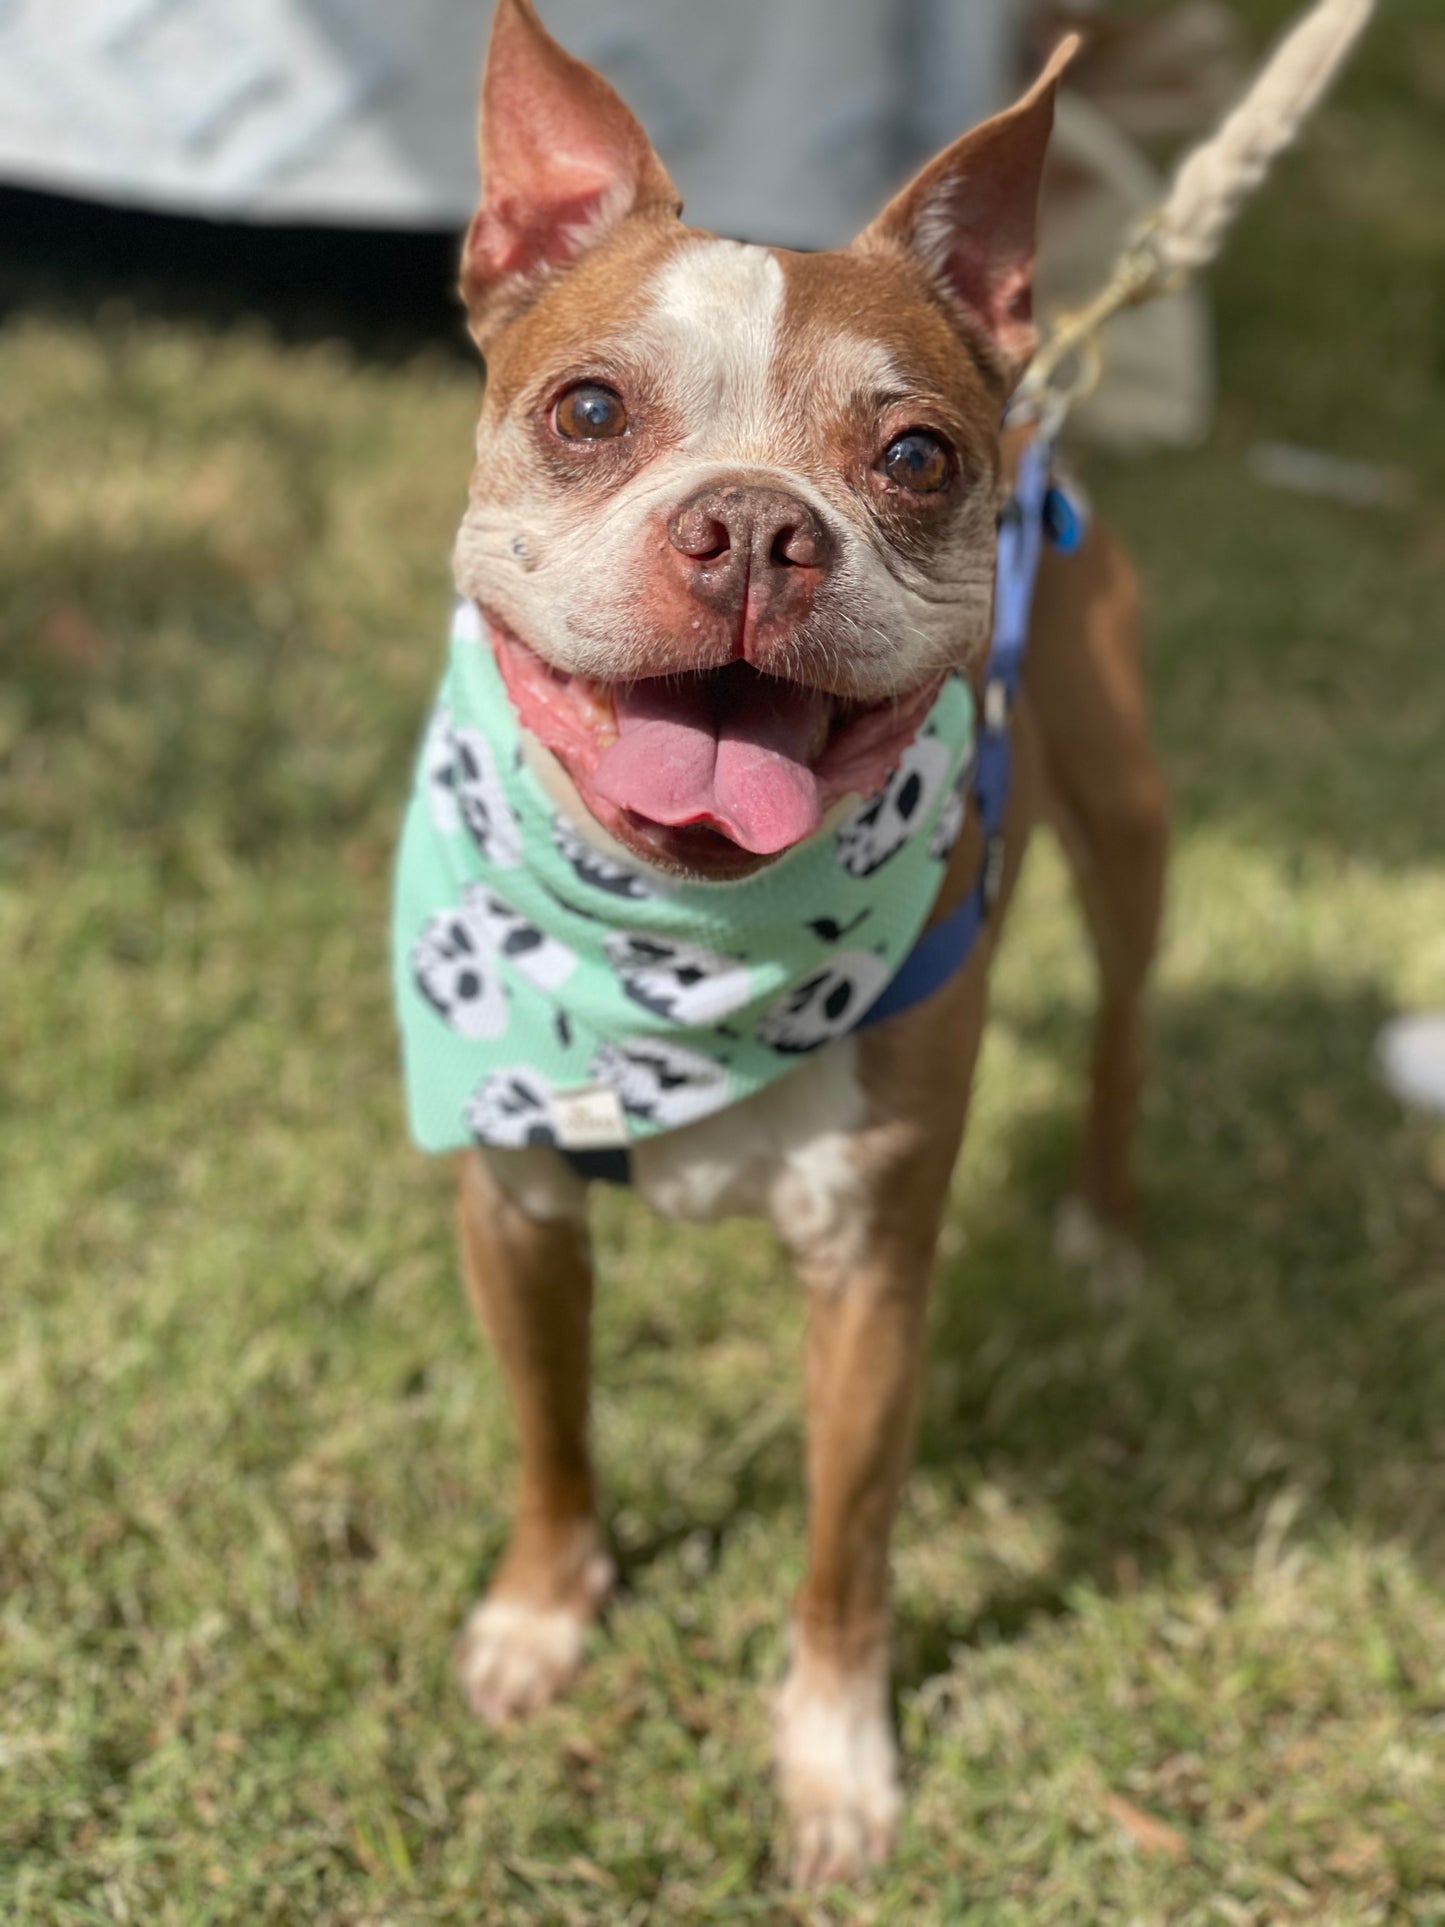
(783, 120)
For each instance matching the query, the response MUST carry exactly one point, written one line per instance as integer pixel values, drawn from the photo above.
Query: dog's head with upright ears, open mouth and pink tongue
(735, 510)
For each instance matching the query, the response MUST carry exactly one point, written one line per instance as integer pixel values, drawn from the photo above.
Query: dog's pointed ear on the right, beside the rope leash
(970, 217)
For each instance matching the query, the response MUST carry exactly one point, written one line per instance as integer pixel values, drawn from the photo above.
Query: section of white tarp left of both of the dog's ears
(334, 111)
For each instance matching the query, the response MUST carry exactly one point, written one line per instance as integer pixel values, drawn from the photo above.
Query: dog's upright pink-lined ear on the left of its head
(562, 165)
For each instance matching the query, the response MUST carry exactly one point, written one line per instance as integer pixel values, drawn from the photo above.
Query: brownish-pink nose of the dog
(737, 539)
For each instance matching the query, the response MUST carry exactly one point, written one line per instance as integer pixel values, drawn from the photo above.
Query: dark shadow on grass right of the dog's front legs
(1288, 1340)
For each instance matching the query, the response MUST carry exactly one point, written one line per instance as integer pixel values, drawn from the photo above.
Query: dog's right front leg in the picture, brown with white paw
(868, 1263)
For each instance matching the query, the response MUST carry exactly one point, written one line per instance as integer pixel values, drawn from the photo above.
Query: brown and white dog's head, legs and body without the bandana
(700, 465)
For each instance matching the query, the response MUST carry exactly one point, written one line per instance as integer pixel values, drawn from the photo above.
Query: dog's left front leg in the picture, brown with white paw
(531, 1280)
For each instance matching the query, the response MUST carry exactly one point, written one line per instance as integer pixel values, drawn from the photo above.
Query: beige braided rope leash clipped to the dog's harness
(1211, 188)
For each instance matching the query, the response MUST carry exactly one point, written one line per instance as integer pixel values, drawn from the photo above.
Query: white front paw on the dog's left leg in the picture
(515, 1658)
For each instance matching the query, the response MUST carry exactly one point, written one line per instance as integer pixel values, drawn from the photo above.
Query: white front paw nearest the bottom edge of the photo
(839, 1778)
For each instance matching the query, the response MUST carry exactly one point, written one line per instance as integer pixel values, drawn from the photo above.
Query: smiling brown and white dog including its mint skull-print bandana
(729, 546)
